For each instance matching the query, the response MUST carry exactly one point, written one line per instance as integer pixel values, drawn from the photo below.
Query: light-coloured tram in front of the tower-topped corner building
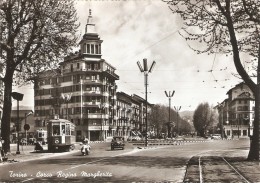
(61, 135)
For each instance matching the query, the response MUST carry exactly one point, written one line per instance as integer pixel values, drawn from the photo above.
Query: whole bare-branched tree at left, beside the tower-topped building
(35, 36)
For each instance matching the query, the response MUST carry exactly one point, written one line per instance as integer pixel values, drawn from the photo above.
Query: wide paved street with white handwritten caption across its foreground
(163, 163)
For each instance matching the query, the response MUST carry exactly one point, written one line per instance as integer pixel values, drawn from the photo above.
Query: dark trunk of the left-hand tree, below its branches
(6, 118)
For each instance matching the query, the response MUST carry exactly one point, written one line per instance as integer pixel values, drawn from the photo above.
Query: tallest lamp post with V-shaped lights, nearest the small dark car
(145, 70)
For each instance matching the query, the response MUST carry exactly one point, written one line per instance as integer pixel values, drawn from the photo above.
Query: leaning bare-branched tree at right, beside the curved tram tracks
(229, 27)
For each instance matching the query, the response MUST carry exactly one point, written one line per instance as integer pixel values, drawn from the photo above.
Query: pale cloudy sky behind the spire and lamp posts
(132, 30)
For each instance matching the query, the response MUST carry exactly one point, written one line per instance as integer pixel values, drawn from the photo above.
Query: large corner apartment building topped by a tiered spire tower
(82, 90)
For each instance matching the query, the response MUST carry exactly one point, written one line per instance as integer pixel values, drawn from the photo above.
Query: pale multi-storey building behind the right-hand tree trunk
(236, 113)
